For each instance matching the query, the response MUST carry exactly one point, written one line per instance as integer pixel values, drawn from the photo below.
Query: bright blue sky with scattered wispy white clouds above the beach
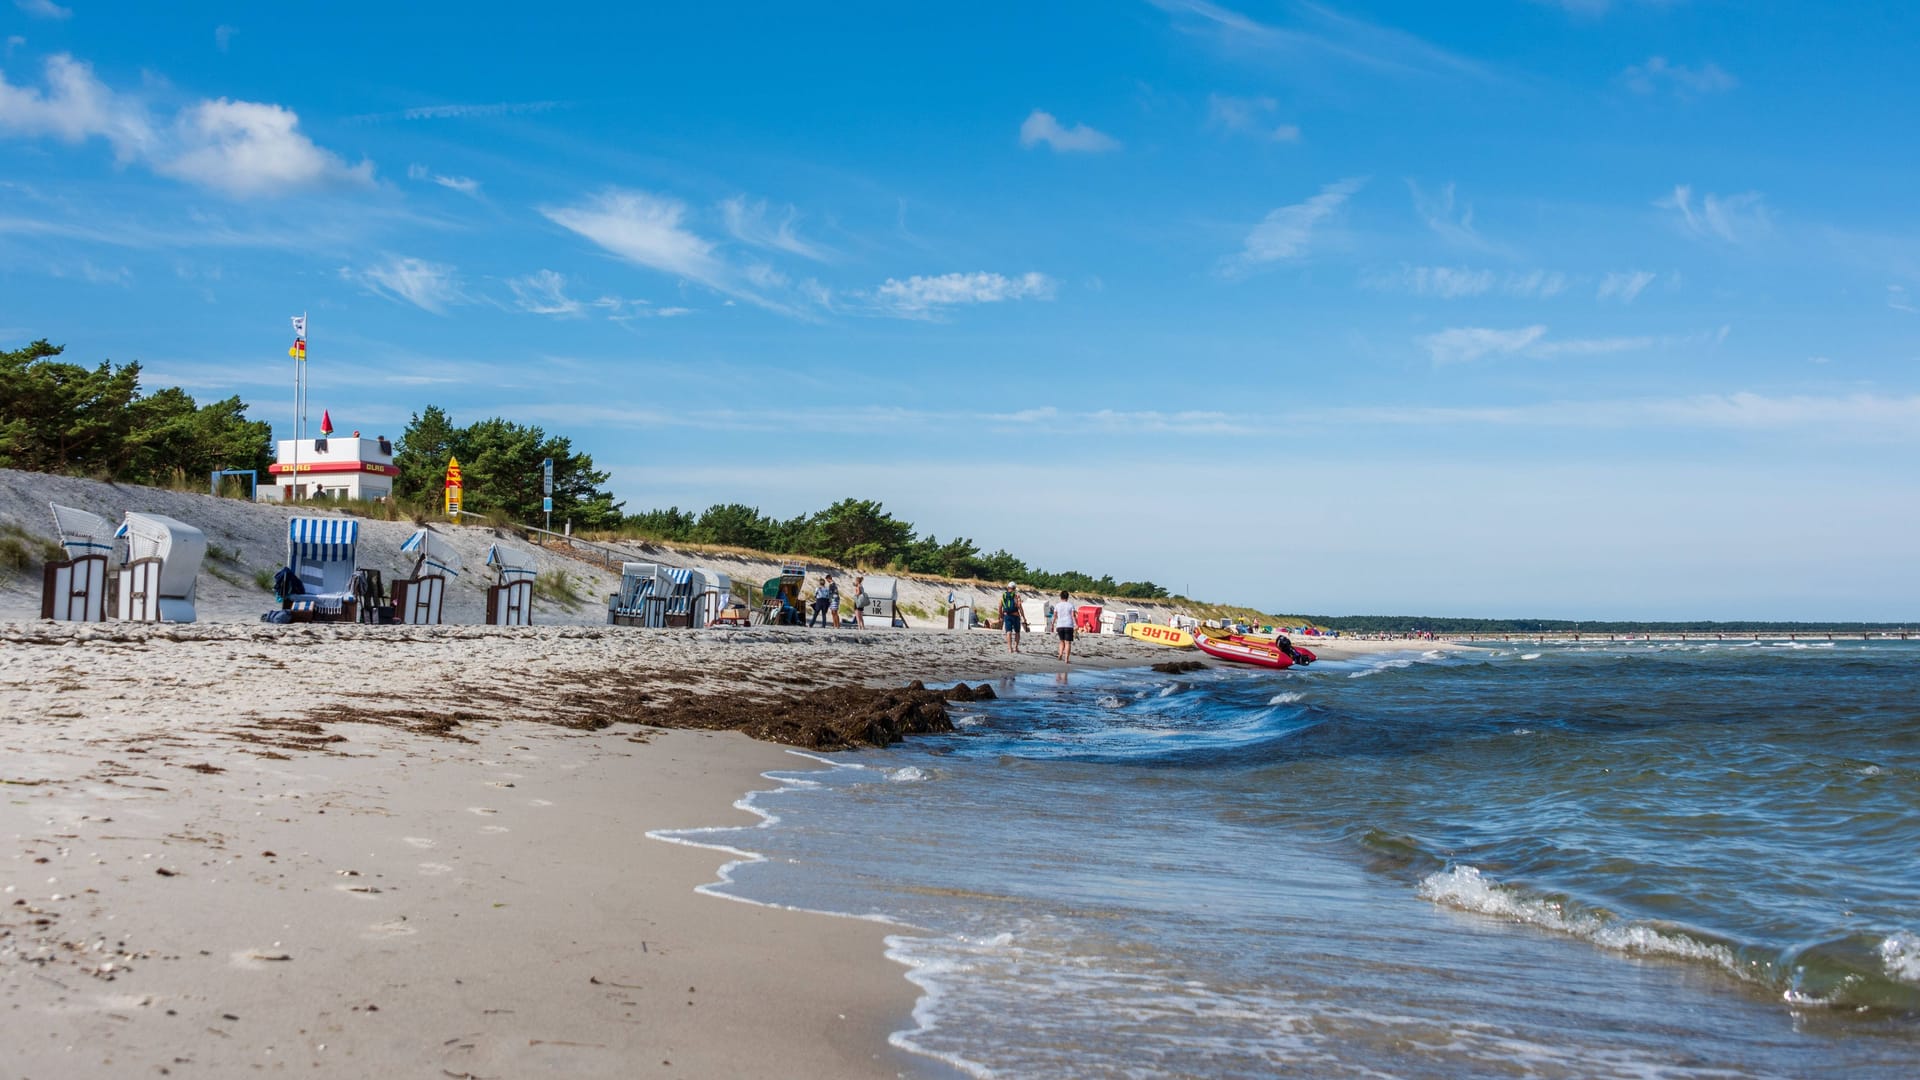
(1587, 308)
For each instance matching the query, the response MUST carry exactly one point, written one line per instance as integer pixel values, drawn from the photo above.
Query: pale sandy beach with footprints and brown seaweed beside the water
(425, 850)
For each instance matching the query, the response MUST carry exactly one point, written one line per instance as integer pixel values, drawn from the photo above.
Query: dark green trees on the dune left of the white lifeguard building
(95, 422)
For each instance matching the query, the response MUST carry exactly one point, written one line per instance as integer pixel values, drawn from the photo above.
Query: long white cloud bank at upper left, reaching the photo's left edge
(243, 149)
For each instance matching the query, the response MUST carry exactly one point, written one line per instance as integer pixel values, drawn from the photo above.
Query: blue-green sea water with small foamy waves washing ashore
(1696, 860)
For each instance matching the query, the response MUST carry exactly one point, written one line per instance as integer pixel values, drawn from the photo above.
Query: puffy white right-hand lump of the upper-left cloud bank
(251, 149)
